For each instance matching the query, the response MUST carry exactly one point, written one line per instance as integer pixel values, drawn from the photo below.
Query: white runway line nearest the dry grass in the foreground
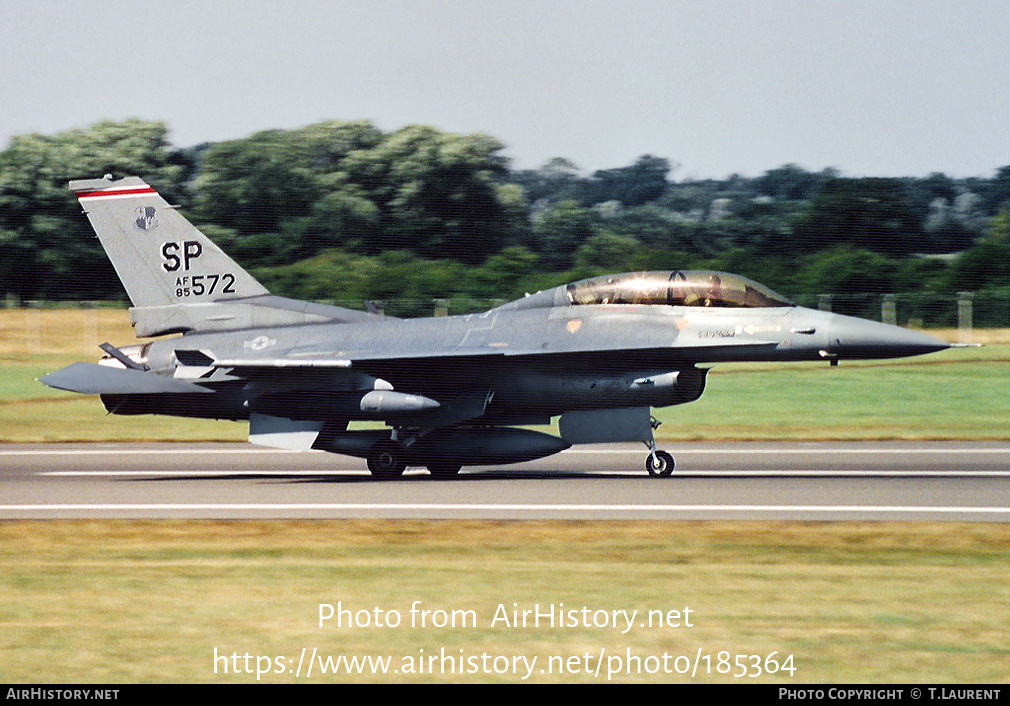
(274, 508)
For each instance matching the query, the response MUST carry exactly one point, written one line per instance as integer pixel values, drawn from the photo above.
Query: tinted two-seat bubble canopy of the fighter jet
(699, 288)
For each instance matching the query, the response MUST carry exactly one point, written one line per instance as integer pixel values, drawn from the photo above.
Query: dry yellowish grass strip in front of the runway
(133, 601)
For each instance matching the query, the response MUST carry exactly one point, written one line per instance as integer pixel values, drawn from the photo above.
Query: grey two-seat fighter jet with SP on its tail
(448, 392)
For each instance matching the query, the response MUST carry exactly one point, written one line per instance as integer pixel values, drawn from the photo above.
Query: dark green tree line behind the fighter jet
(344, 212)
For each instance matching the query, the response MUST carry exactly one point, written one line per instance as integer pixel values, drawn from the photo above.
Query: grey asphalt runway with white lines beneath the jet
(782, 481)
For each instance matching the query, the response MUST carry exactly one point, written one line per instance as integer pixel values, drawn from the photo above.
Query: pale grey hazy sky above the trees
(870, 87)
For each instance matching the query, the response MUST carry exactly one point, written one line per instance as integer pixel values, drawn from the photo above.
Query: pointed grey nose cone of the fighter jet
(853, 338)
